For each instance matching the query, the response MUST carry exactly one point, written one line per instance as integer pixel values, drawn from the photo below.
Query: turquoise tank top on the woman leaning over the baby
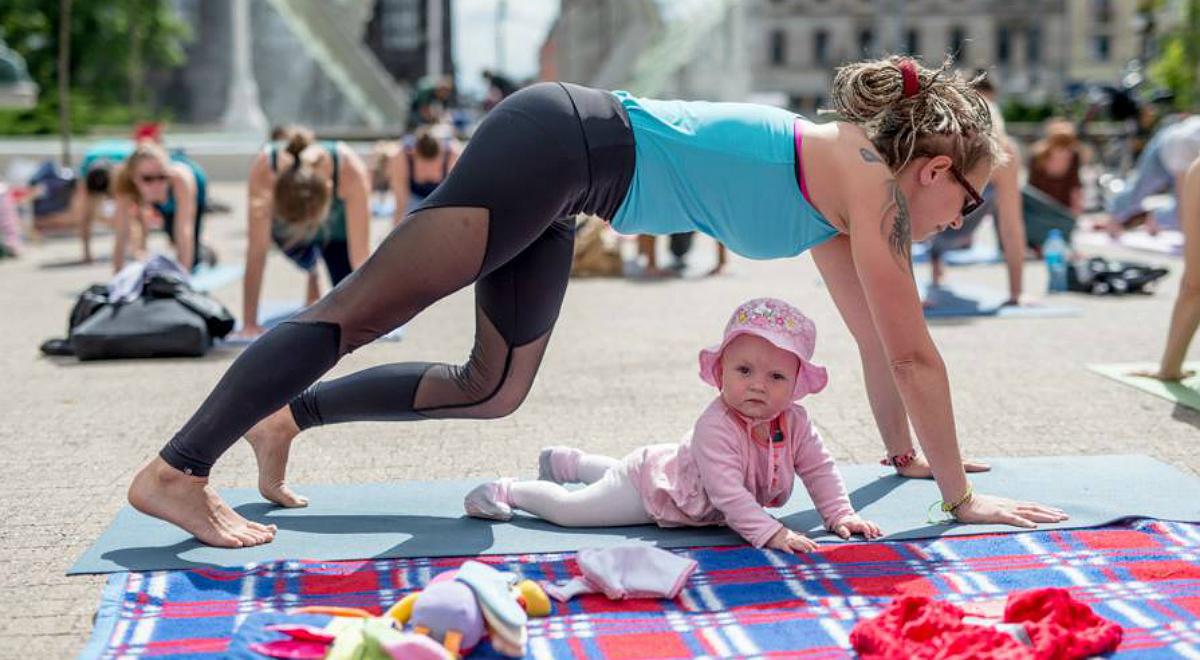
(725, 170)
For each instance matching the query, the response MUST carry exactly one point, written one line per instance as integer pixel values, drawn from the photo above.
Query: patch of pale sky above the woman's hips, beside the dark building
(475, 39)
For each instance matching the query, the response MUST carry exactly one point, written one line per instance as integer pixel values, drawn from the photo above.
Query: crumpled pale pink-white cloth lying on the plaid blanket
(627, 572)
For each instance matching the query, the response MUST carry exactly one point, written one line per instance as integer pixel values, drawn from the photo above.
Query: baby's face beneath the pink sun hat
(758, 379)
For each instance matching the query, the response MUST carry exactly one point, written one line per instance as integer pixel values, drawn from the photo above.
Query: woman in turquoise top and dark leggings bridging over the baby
(502, 221)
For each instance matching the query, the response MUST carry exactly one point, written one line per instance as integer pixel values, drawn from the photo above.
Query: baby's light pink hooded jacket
(721, 476)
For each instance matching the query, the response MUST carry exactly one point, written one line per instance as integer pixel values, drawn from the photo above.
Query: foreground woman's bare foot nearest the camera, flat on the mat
(189, 502)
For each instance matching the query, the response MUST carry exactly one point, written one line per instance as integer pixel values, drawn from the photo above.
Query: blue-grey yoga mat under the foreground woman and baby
(411, 519)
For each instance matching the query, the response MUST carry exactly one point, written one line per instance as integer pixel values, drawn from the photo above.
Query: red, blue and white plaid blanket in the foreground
(1144, 575)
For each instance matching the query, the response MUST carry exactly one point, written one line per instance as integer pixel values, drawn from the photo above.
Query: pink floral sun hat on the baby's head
(781, 325)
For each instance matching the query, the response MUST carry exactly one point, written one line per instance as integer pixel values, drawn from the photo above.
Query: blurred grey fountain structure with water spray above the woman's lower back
(665, 49)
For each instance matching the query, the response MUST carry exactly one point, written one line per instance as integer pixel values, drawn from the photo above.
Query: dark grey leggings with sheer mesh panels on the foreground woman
(501, 221)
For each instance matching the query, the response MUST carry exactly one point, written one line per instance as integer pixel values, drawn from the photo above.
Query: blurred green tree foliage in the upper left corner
(115, 46)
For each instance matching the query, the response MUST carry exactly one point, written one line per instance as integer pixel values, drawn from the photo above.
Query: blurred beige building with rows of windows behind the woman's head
(1035, 49)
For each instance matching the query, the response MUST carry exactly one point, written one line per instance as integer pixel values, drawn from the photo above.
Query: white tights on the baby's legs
(609, 500)
